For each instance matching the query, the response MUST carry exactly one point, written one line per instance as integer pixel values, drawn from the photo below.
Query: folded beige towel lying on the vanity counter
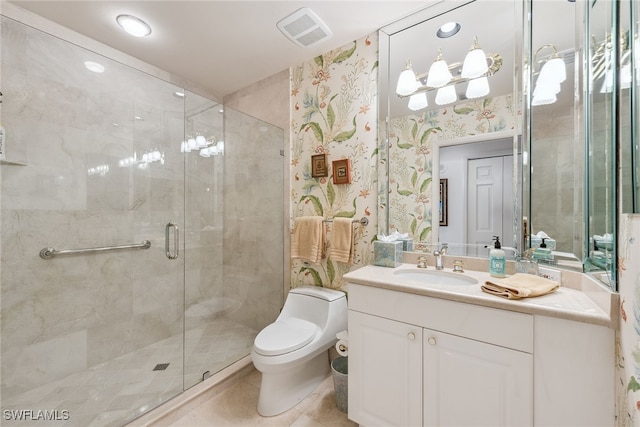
(520, 285)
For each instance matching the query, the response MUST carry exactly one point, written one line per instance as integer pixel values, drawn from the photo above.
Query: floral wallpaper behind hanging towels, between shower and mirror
(334, 112)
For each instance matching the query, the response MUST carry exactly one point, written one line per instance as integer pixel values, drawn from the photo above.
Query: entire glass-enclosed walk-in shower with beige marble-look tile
(159, 217)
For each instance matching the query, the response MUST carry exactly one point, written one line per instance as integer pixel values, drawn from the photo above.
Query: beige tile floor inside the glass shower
(110, 394)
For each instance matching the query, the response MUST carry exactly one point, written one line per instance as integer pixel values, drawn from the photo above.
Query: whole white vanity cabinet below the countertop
(418, 360)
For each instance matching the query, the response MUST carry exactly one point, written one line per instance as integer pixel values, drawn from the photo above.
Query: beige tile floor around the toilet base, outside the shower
(236, 406)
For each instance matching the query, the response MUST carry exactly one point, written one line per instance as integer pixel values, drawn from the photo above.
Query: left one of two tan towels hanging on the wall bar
(308, 238)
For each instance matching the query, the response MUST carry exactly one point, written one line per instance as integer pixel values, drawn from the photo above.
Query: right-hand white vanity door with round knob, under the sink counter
(472, 383)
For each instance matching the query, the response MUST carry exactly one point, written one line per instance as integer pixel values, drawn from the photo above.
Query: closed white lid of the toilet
(284, 336)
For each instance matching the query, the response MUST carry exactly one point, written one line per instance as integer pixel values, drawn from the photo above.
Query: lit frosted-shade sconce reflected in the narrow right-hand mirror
(552, 73)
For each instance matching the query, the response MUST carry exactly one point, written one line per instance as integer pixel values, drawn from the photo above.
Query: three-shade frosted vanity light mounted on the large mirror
(443, 77)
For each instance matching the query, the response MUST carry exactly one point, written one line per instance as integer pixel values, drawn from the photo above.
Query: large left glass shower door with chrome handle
(94, 338)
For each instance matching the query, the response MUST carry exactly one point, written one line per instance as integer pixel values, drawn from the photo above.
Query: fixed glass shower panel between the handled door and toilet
(234, 201)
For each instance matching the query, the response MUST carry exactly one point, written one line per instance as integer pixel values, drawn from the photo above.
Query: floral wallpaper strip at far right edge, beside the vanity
(628, 339)
